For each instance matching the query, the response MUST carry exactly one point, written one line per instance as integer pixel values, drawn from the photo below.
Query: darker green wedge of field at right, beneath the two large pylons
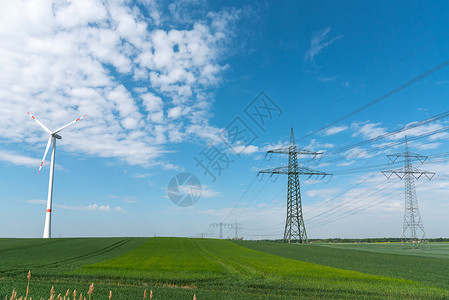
(429, 266)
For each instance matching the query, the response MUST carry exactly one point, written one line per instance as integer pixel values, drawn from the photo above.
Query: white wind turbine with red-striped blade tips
(51, 140)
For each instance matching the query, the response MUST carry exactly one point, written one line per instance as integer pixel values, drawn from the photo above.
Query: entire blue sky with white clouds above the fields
(161, 80)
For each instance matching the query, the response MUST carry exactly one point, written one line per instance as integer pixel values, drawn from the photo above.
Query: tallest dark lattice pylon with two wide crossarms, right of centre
(295, 229)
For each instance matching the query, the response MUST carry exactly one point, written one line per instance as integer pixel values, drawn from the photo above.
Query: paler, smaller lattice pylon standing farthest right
(413, 233)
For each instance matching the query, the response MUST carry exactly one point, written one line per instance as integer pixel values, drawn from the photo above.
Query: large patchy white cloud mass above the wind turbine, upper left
(142, 81)
